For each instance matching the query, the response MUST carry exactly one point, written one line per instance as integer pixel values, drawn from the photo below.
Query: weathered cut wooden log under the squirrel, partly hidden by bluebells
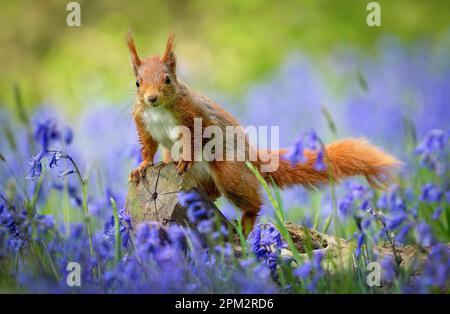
(155, 198)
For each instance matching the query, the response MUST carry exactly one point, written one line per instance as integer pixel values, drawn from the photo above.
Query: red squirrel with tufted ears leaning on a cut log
(164, 101)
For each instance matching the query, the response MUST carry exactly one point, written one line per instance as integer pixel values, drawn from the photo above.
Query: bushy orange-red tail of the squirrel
(345, 158)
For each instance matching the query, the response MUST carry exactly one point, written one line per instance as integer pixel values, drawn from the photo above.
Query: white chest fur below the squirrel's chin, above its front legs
(160, 123)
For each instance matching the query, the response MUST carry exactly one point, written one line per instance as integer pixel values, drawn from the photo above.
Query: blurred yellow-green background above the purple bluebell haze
(221, 45)
